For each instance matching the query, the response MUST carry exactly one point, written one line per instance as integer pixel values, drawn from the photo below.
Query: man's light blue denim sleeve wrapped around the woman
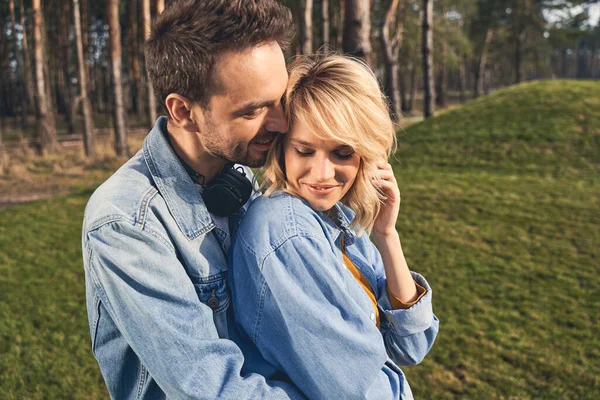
(151, 299)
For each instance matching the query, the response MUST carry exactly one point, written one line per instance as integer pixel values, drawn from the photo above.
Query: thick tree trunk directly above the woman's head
(357, 29)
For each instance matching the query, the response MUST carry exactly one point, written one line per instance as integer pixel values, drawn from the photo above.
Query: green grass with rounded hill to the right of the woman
(500, 210)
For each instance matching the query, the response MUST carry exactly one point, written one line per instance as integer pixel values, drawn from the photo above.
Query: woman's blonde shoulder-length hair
(338, 98)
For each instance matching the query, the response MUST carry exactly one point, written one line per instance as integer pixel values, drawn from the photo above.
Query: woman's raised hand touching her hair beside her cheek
(385, 223)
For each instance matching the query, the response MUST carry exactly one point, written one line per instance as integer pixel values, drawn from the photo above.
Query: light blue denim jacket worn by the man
(156, 286)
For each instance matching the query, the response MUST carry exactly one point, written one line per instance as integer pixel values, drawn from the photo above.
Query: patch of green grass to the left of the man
(45, 348)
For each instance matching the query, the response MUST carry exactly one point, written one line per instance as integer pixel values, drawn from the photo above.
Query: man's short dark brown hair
(189, 35)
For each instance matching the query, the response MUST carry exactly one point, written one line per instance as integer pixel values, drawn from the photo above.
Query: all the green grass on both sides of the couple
(500, 212)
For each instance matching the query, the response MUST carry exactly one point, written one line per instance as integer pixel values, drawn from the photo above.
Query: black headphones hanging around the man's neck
(227, 192)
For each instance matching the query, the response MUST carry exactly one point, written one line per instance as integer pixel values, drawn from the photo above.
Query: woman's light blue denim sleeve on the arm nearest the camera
(294, 306)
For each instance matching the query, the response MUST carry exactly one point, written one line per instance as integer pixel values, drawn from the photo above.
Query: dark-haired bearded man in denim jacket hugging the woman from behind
(154, 255)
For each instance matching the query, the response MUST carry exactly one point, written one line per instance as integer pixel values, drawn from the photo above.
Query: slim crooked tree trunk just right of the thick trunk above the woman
(391, 52)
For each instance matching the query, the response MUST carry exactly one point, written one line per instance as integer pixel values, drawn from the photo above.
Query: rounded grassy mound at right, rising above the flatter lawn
(547, 127)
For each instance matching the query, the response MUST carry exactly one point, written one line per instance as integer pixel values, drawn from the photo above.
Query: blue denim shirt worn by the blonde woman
(299, 308)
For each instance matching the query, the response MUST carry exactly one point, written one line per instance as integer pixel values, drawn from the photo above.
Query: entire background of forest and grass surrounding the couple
(498, 112)
